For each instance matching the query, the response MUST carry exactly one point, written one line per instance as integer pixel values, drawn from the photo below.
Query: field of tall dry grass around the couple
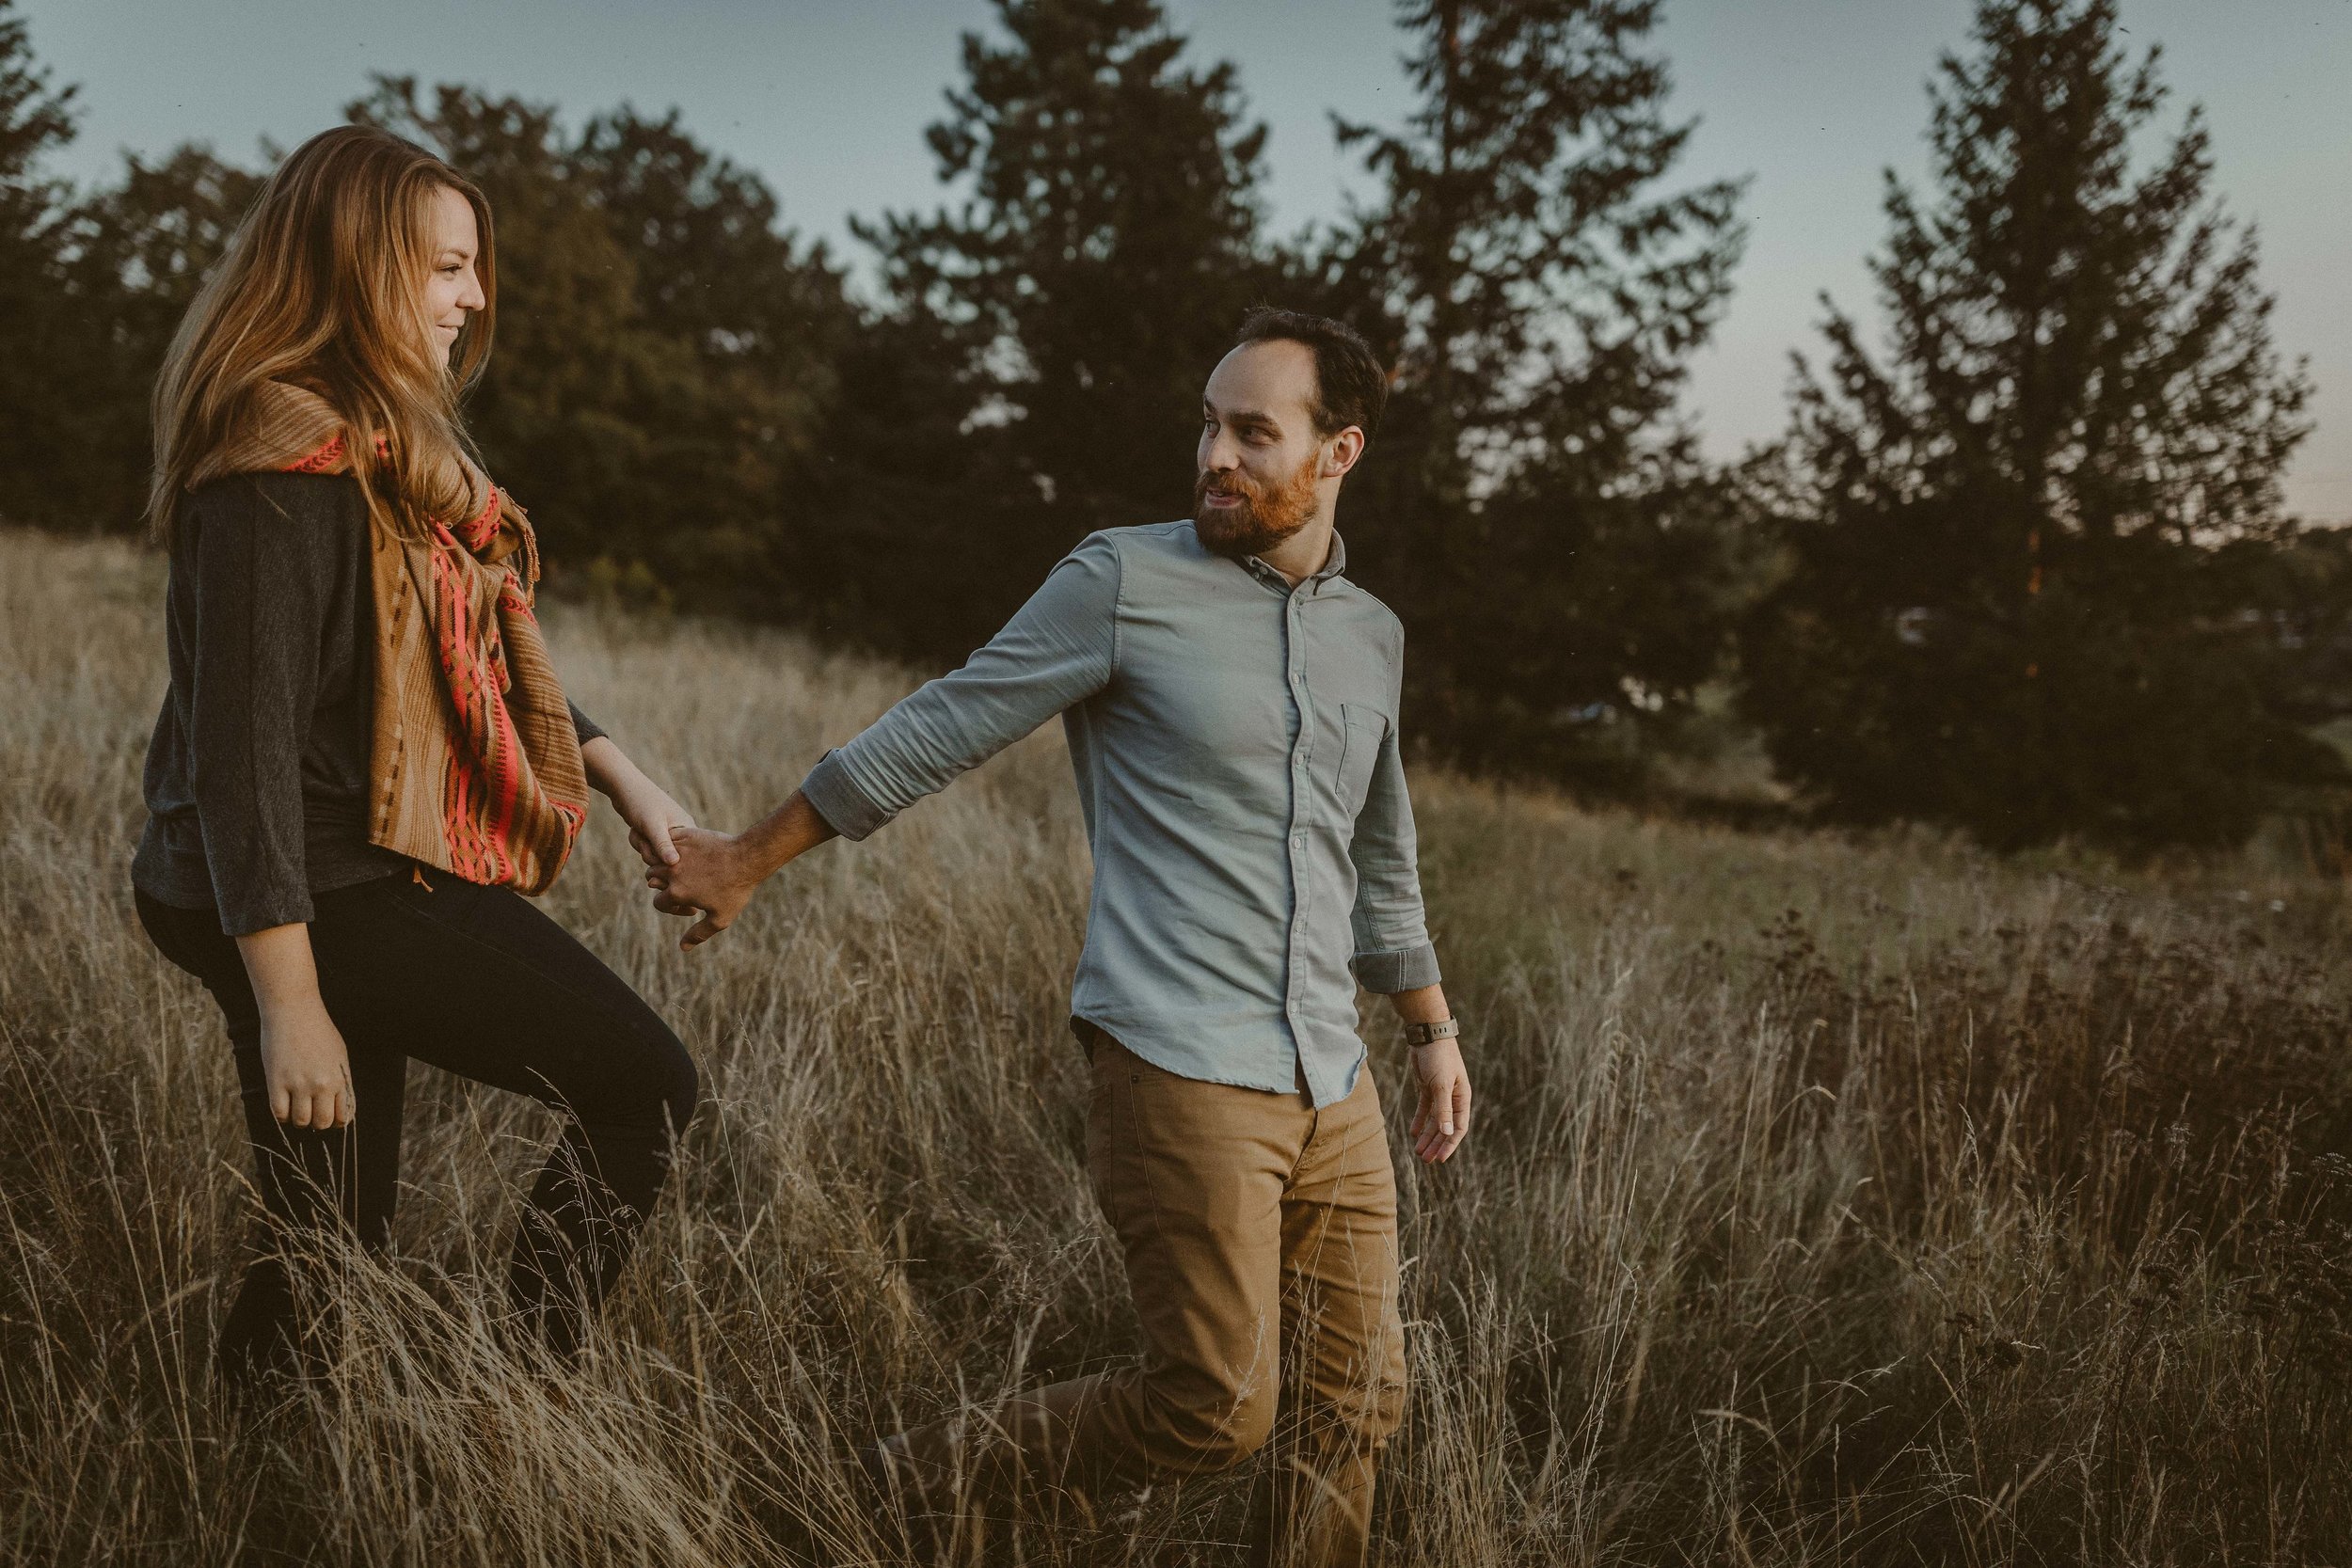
(1831, 1202)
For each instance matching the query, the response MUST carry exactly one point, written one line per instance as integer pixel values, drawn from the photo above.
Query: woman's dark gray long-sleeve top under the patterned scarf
(258, 775)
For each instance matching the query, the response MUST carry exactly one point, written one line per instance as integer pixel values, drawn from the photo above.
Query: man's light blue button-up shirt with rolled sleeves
(1236, 751)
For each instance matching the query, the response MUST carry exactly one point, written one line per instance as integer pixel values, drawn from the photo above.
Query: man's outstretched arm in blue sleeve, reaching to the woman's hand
(1055, 652)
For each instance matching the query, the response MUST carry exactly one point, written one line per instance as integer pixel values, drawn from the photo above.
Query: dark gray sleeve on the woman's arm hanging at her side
(260, 610)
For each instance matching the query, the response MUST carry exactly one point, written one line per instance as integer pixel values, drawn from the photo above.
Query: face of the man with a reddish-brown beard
(1259, 455)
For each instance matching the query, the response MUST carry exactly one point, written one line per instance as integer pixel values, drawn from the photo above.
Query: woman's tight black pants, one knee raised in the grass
(481, 984)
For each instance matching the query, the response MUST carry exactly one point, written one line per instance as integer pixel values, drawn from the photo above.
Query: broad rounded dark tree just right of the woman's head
(664, 347)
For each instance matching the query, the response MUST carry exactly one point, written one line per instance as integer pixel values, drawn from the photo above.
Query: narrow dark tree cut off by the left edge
(36, 328)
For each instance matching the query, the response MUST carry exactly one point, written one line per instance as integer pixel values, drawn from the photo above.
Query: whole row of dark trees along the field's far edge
(2022, 568)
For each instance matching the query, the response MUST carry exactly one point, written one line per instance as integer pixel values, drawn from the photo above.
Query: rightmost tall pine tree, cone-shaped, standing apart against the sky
(2031, 542)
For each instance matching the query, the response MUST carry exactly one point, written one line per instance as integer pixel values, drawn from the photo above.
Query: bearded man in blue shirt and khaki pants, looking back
(1231, 706)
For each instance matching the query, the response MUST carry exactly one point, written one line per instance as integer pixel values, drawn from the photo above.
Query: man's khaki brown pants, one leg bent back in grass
(1262, 1252)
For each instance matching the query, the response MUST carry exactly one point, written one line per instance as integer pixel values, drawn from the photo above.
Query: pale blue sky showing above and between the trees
(827, 100)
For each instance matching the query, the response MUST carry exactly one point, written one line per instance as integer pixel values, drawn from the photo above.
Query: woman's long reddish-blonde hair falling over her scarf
(326, 286)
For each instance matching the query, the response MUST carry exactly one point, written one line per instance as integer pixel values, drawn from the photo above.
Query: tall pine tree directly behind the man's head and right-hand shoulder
(1544, 523)
